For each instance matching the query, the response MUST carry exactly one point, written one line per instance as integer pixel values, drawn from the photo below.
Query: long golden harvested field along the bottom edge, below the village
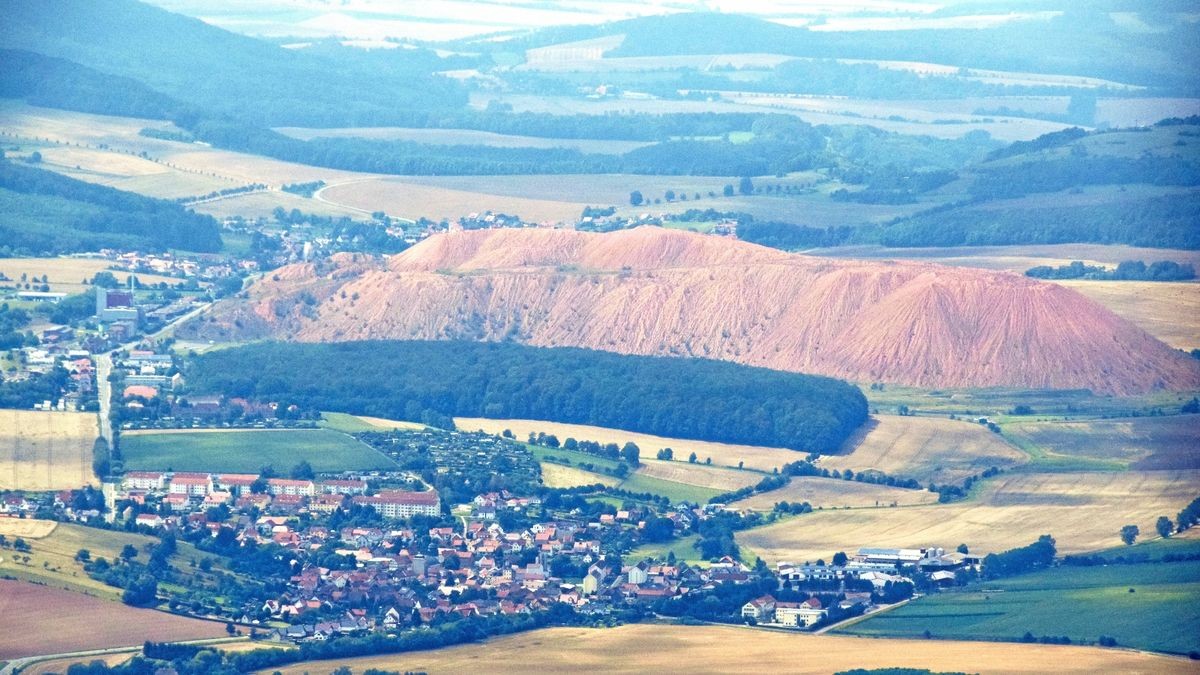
(727, 649)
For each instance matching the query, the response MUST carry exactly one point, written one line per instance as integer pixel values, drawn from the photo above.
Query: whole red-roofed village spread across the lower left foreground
(364, 555)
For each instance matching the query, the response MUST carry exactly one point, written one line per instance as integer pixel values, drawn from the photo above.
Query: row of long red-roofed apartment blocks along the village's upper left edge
(179, 494)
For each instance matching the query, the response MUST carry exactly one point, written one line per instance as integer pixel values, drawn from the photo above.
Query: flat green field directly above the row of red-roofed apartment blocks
(247, 452)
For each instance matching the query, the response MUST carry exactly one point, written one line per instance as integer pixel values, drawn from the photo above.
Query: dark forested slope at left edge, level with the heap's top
(47, 213)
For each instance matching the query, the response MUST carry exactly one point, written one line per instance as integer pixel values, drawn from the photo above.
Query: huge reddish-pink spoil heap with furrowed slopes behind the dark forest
(658, 292)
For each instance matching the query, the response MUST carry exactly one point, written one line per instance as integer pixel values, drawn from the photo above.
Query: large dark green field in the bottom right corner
(1083, 604)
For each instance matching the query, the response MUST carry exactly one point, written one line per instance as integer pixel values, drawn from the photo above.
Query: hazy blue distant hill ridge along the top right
(1085, 40)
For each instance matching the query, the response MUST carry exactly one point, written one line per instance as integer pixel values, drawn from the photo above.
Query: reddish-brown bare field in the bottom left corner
(41, 620)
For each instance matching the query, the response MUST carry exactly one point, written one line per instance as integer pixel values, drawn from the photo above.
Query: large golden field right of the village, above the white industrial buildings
(1083, 512)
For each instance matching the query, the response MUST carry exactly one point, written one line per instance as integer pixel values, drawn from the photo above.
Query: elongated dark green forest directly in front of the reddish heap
(430, 383)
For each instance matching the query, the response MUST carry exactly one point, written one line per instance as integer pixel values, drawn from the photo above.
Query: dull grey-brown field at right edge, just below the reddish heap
(1144, 443)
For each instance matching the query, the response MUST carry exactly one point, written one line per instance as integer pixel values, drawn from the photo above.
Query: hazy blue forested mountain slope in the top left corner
(223, 74)
